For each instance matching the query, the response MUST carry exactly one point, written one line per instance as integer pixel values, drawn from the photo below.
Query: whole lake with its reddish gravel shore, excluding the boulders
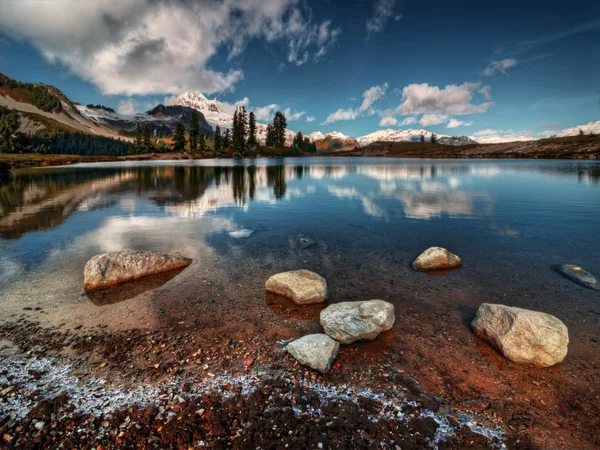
(199, 357)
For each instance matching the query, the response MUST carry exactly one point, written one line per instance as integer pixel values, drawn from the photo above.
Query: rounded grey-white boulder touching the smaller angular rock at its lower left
(347, 322)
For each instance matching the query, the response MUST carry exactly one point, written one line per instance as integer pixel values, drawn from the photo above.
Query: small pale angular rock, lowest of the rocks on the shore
(317, 351)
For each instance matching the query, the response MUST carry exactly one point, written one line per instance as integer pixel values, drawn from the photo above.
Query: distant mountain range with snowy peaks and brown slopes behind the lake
(44, 109)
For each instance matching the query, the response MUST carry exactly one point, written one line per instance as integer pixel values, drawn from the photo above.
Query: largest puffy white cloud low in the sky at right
(450, 100)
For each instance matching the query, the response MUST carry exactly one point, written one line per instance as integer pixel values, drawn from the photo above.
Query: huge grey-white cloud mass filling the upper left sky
(139, 47)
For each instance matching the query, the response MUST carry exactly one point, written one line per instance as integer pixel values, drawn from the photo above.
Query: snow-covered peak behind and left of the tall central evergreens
(217, 113)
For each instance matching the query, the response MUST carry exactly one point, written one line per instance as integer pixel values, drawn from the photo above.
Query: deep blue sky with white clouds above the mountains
(490, 70)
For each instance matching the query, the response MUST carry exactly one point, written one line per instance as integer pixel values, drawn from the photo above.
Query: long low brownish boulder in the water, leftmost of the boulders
(113, 268)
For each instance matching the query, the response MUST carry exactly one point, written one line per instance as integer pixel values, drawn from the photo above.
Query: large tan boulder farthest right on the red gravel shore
(521, 335)
